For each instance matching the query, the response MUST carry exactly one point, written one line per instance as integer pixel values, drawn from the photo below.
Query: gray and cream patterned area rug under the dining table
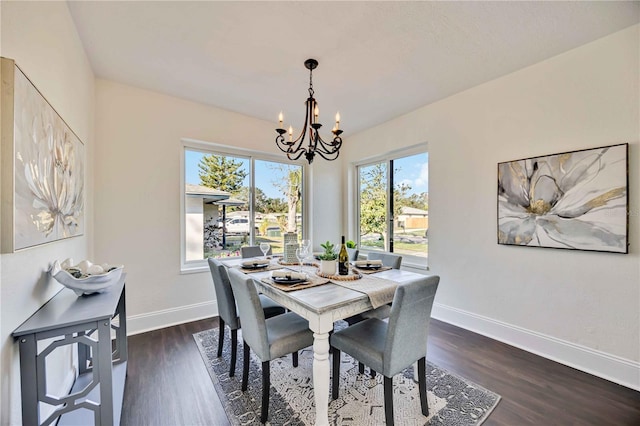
(452, 400)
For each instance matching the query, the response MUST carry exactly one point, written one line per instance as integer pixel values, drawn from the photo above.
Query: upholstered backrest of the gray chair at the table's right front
(408, 328)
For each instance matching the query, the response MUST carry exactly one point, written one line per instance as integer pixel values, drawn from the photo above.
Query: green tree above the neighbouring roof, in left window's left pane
(222, 173)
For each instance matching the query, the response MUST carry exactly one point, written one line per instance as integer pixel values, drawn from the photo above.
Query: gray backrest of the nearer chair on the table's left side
(254, 329)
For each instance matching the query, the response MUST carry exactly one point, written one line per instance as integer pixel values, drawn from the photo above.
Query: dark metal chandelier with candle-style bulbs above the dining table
(295, 148)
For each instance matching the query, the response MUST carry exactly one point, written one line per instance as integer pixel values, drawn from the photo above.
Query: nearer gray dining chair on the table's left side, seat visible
(269, 338)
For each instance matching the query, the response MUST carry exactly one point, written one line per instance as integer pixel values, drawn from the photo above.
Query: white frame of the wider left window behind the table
(201, 265)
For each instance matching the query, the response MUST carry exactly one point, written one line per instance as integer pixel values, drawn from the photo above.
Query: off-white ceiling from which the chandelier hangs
(378, 60)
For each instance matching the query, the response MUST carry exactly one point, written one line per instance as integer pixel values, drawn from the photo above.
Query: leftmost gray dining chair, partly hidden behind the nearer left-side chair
(227, 309)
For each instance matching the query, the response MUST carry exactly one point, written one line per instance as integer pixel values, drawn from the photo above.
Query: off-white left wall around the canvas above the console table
(42, 39)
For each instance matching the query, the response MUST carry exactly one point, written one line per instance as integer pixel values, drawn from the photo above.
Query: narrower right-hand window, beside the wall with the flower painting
(393, 206)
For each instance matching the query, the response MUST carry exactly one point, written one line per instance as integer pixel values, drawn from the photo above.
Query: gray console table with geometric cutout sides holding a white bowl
(87, 321)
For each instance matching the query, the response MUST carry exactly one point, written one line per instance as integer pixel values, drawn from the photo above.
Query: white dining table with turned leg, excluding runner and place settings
(322, 306)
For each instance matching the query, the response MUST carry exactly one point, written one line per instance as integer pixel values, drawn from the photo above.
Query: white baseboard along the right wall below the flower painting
(610, 367)
